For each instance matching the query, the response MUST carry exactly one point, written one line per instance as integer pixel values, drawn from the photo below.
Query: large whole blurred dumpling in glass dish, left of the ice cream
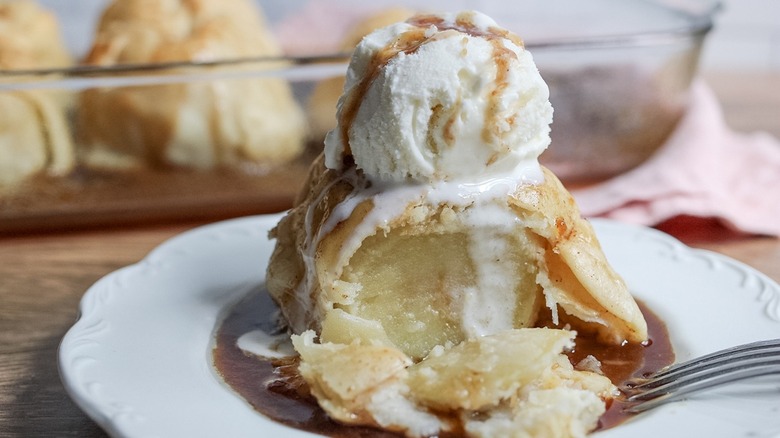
(198, 124)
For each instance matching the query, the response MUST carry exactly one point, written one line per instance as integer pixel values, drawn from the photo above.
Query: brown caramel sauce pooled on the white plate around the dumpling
(274, 388)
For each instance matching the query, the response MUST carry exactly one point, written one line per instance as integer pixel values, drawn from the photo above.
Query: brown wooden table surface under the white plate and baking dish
(43, 276)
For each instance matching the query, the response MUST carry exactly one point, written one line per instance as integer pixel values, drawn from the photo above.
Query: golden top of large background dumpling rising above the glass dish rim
(149, 31)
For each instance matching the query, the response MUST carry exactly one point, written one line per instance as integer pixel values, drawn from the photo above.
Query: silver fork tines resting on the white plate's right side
(676, 381)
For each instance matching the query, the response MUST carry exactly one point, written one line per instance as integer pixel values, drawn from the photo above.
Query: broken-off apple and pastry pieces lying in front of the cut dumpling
(516, 383)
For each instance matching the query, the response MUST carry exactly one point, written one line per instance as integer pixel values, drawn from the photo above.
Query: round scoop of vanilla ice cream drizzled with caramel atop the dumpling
(440, 98)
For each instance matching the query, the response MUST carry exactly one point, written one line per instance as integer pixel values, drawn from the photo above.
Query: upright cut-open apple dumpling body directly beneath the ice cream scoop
(419, 274)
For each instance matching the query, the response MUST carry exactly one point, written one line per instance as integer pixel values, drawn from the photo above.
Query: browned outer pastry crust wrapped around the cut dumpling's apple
(569, 266)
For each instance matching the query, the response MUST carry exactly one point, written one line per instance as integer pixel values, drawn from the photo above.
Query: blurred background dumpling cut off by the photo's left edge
(34, 135)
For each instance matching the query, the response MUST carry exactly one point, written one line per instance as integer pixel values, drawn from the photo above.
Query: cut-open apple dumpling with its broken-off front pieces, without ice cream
(417, 335)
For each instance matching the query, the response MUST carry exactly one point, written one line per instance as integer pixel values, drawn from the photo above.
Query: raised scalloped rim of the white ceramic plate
(611, 234)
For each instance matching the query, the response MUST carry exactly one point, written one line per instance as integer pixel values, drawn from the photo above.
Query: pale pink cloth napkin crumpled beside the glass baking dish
(704, 170)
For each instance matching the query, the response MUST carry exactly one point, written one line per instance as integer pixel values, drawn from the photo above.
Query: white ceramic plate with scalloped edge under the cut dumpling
(138, 360)
